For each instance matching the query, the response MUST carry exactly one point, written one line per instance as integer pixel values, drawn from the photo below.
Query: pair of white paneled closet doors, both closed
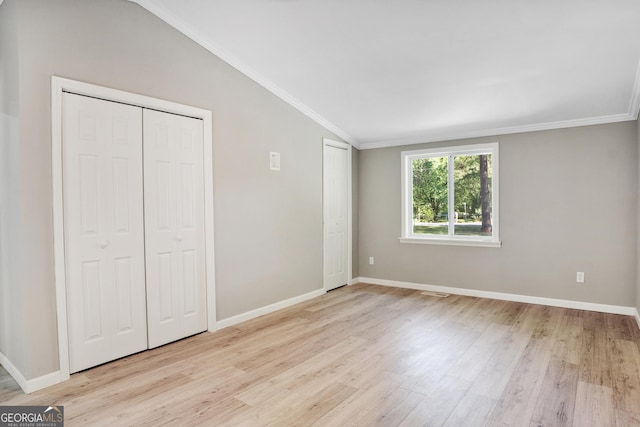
(134, 228)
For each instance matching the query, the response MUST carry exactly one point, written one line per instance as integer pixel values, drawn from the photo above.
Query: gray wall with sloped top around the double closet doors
(268, 225)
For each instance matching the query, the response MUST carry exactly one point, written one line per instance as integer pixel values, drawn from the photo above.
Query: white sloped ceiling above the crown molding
(381, 73)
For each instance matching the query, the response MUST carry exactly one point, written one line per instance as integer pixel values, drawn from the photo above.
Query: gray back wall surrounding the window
(567, 204)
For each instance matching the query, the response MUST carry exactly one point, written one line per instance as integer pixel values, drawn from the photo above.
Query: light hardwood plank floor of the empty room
(369, 355)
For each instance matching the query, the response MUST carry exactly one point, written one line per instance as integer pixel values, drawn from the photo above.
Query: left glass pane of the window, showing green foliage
(430, 195)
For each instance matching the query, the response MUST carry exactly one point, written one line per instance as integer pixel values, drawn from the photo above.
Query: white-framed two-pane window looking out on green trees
(450, 195)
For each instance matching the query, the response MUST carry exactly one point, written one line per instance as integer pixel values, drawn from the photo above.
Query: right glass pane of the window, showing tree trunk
(472, 190)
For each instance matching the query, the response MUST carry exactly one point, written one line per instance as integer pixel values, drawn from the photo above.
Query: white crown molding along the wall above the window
(499, 131)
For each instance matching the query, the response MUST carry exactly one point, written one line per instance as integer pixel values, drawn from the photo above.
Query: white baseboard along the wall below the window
(579, 305)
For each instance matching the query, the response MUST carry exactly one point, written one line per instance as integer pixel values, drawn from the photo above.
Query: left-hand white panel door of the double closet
(103, 223)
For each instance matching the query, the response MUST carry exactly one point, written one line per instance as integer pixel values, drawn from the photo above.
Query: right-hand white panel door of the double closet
(174, 226)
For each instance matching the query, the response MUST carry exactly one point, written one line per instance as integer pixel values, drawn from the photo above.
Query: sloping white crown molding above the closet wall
(230, 59)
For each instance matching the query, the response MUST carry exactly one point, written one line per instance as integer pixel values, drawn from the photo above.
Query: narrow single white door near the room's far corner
(335, 200)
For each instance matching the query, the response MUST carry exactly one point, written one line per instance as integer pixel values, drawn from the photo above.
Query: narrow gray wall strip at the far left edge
(12, 314)
